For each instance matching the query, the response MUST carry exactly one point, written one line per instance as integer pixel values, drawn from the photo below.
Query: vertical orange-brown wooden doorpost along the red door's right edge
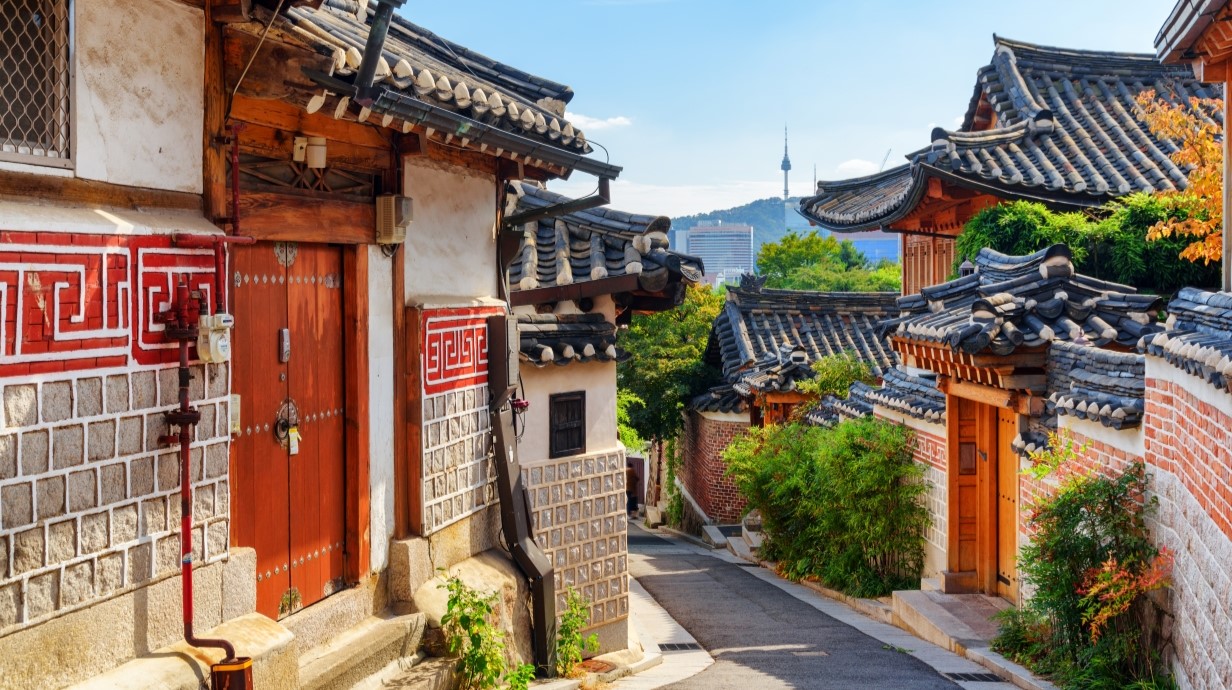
(355, 347)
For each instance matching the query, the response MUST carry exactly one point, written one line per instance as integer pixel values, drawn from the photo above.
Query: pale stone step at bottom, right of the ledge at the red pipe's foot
(363, 651)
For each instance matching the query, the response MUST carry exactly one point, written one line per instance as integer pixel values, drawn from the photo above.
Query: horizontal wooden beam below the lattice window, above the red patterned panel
(24, 187)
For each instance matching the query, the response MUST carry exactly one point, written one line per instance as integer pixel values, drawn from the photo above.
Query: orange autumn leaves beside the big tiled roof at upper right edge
(1201, 152)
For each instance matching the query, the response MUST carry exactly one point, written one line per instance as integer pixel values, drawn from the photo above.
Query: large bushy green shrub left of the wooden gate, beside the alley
(843, 505)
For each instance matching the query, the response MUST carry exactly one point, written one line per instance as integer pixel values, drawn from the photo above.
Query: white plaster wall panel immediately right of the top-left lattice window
(140, 95)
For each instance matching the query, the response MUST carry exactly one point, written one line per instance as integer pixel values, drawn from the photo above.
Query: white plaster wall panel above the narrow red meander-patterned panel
(452, 247)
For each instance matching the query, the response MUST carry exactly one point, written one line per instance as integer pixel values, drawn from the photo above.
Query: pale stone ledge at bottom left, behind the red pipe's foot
(180, 667)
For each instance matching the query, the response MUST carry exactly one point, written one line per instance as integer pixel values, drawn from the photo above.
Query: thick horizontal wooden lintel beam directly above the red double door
(294, 219)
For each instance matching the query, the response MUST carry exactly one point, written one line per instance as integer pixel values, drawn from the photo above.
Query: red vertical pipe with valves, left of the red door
(182, 325)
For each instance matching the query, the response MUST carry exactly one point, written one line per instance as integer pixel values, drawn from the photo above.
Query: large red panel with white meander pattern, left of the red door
(78, 301)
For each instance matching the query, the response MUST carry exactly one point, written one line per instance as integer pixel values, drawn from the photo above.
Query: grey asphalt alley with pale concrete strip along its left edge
(768, 633)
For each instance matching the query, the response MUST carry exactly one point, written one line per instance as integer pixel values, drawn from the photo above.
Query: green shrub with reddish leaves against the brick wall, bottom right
(1091, 564)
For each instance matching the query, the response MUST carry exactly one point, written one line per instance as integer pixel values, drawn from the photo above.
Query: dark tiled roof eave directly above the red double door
(419, 66)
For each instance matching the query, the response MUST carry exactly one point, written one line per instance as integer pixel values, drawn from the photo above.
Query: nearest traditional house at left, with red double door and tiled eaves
(333, 178)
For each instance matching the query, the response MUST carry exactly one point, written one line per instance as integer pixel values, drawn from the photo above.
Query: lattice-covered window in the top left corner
(35, 82)
